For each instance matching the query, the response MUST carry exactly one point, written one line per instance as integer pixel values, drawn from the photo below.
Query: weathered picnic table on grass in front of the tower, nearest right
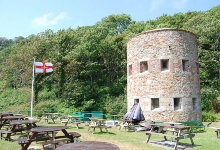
(182, 132)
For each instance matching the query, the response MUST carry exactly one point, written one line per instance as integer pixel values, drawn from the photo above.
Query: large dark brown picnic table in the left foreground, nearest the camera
(49, 130)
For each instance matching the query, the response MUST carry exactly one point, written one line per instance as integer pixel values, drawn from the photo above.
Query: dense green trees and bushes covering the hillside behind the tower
(90, 62)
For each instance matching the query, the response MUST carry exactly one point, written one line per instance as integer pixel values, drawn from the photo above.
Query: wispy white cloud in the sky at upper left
(48, 19)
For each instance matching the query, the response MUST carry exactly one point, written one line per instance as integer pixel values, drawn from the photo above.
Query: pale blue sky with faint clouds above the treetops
(26, 17)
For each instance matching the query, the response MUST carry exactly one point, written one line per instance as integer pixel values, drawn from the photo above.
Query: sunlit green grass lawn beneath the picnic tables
(126, 140)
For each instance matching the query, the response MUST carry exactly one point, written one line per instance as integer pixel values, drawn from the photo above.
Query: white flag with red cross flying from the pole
(42, 67)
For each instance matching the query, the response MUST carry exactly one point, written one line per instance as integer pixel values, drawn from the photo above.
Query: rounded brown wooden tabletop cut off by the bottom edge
(89, 145)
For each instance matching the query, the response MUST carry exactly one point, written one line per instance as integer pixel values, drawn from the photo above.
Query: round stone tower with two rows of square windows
(163, 75)
